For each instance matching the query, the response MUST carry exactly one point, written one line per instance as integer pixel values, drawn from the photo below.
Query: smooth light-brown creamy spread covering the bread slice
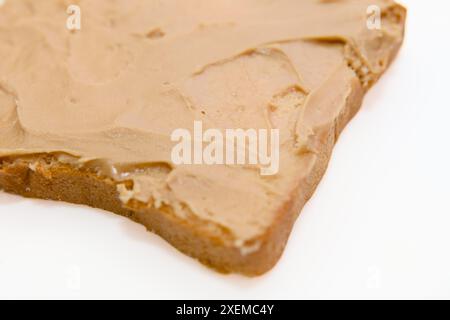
(108, 96)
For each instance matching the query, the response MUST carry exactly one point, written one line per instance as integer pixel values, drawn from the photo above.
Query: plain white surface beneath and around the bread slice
(377, 227)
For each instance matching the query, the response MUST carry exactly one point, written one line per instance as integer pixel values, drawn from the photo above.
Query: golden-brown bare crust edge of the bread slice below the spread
(54, 180)
